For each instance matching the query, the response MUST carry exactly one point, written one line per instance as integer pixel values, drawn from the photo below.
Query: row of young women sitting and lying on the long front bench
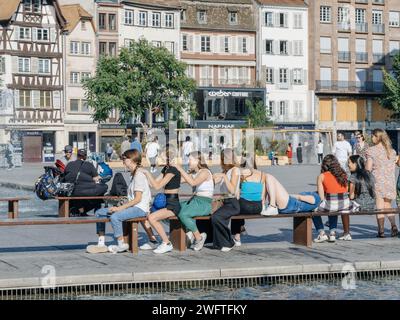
(246, 190)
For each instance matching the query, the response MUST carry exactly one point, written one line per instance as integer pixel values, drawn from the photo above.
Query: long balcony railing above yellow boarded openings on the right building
(349, 86)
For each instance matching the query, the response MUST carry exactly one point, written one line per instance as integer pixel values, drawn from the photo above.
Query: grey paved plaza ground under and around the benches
(266, 250)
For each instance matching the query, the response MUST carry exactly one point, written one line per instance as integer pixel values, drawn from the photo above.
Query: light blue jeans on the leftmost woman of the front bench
(117, 218)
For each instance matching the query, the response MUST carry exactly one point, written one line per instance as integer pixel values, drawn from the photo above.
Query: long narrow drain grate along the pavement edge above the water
(152, 288)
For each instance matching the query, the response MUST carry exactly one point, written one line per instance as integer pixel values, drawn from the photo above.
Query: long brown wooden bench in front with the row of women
(302, 225)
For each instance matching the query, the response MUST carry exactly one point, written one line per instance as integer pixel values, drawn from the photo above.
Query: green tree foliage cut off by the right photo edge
(391, 89)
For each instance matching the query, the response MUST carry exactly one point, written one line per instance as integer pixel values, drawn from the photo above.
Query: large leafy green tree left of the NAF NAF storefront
(142, 77)
